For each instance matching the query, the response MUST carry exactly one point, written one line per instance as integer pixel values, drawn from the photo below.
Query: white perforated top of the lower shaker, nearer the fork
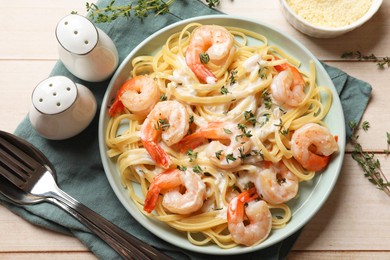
(54, 95)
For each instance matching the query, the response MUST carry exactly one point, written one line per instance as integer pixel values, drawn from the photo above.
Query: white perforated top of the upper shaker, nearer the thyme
(77, 34)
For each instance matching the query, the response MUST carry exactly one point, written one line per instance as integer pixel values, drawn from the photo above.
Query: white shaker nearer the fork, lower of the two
(61, 108)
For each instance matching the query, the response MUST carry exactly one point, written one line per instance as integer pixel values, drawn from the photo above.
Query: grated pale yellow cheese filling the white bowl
(330, 13)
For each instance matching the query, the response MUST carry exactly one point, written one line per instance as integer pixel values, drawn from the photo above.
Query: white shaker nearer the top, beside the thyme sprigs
(85, 50)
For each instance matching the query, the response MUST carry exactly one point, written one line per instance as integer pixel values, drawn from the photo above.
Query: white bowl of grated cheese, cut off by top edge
(328, 19)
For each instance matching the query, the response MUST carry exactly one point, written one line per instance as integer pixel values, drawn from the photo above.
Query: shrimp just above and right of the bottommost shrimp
(277, 183)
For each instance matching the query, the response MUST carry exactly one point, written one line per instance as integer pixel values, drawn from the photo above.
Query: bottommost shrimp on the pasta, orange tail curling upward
(258, 214)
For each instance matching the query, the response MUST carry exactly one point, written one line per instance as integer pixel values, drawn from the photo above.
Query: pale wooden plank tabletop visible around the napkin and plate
(353, 224)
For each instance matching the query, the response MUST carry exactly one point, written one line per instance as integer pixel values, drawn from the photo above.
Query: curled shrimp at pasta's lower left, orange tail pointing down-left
(169, 183)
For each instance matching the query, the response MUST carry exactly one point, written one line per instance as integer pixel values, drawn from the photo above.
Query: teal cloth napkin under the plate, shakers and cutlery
(77, 161)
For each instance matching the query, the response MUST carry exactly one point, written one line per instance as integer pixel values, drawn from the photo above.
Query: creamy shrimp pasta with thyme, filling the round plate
(218, 133)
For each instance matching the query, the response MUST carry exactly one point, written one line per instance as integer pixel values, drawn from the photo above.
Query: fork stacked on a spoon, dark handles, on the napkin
(29, 180)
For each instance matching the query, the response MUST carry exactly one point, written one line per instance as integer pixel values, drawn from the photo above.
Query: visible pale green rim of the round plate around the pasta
(312, 194)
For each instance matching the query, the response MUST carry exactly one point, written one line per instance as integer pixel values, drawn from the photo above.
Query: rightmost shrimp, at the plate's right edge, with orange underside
(312, 145)
